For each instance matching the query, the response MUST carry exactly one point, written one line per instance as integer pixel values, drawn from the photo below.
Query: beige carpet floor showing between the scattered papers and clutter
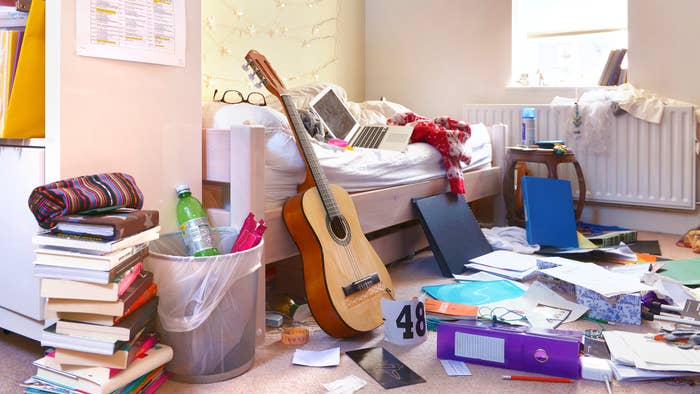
(272, 371)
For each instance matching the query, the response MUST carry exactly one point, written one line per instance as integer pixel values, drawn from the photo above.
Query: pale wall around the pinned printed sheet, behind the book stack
(109, 115)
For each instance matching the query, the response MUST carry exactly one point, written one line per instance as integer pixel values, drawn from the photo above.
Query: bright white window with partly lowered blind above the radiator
(565, 42)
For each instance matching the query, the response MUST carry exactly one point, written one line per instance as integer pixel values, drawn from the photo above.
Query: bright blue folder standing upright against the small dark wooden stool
(549, 212)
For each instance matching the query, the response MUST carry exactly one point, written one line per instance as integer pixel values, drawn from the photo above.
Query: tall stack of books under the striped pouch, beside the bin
(103, 303)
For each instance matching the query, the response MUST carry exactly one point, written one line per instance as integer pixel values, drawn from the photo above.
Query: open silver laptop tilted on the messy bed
(337, 118)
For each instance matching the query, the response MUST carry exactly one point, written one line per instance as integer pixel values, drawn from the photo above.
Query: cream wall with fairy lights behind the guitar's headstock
(322, 42)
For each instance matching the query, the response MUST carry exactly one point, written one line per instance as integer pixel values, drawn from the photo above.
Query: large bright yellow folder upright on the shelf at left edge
(25, 116)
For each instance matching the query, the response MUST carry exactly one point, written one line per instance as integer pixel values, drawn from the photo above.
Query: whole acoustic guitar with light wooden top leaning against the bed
(344, 277)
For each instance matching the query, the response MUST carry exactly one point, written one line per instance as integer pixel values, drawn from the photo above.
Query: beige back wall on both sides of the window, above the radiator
(434, 59)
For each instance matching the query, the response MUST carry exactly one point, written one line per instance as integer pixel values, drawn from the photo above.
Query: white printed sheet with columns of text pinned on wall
(150, 31)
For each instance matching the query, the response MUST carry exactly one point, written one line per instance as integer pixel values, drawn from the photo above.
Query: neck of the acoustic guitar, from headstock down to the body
(307, 151)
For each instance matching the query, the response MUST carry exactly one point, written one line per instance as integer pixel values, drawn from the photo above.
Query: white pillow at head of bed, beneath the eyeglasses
(222, 116)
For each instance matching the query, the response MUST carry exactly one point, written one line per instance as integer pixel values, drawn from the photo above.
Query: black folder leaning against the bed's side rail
(453, 233)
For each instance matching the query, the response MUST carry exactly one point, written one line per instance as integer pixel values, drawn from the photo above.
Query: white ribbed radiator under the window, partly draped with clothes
(644, 164)
